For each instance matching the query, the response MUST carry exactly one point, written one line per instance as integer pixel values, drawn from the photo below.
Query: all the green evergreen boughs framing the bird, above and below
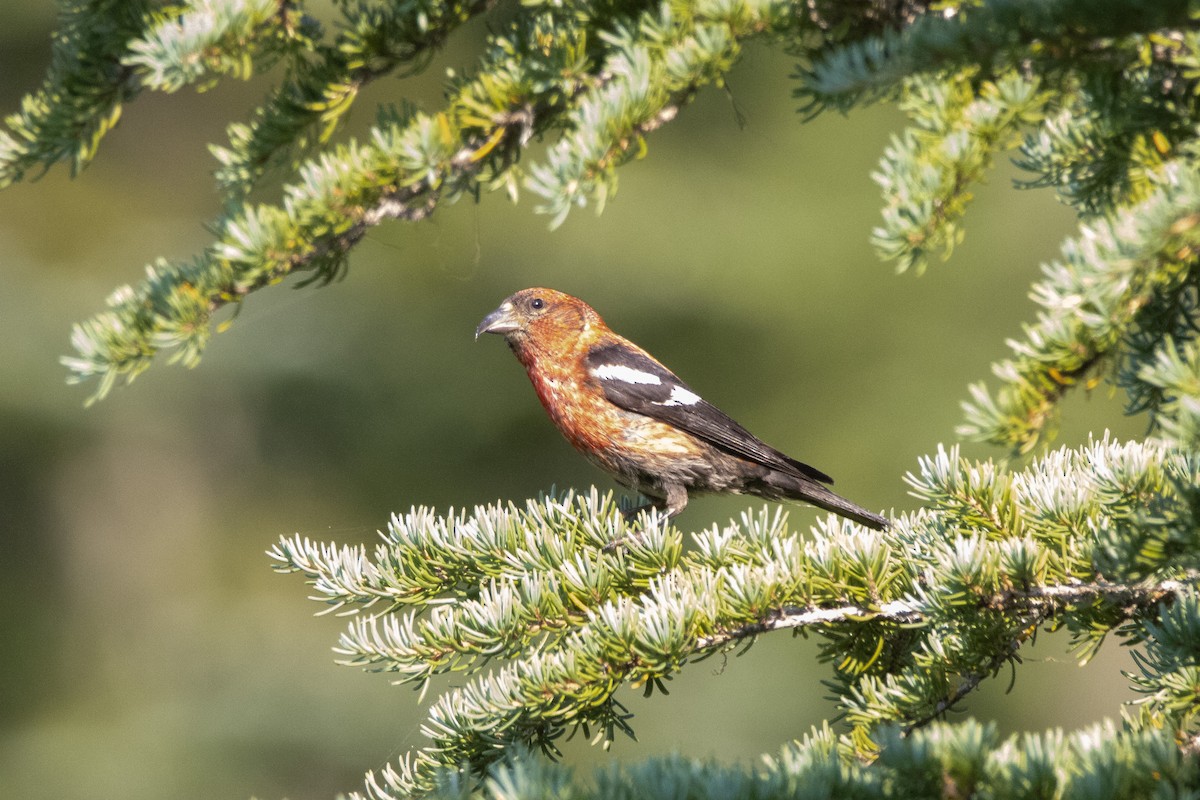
(550, 606)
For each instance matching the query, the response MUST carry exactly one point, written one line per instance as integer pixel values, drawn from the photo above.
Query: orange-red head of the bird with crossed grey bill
(541, 318)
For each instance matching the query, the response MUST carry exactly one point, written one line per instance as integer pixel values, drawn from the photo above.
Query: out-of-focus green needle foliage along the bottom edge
(943, 762)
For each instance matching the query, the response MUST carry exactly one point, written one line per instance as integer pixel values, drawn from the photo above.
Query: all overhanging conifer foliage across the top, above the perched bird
(1101, 100)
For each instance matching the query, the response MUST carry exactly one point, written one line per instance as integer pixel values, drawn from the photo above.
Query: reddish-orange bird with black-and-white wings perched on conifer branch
(635, 419)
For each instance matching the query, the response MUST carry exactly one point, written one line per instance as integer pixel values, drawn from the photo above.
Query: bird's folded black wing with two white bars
(638, 383)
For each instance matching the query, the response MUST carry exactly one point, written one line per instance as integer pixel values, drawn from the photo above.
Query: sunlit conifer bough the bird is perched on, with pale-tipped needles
(555, 606)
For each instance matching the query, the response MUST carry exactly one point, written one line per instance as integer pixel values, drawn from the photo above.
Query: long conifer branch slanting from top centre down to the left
(419, 161)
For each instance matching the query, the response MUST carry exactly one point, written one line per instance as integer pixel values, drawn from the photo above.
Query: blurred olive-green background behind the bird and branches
(148, 649)
